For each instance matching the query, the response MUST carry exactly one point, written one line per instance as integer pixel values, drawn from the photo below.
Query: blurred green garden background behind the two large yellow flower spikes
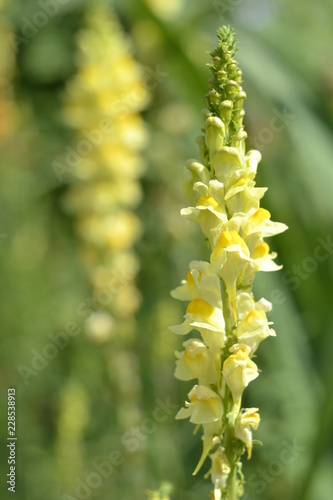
(67, 420)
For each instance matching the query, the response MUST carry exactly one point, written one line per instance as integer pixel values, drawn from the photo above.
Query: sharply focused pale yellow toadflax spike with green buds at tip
(221, 306)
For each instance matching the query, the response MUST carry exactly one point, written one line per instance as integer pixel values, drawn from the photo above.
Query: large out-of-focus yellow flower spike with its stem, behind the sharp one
(102, 104)
